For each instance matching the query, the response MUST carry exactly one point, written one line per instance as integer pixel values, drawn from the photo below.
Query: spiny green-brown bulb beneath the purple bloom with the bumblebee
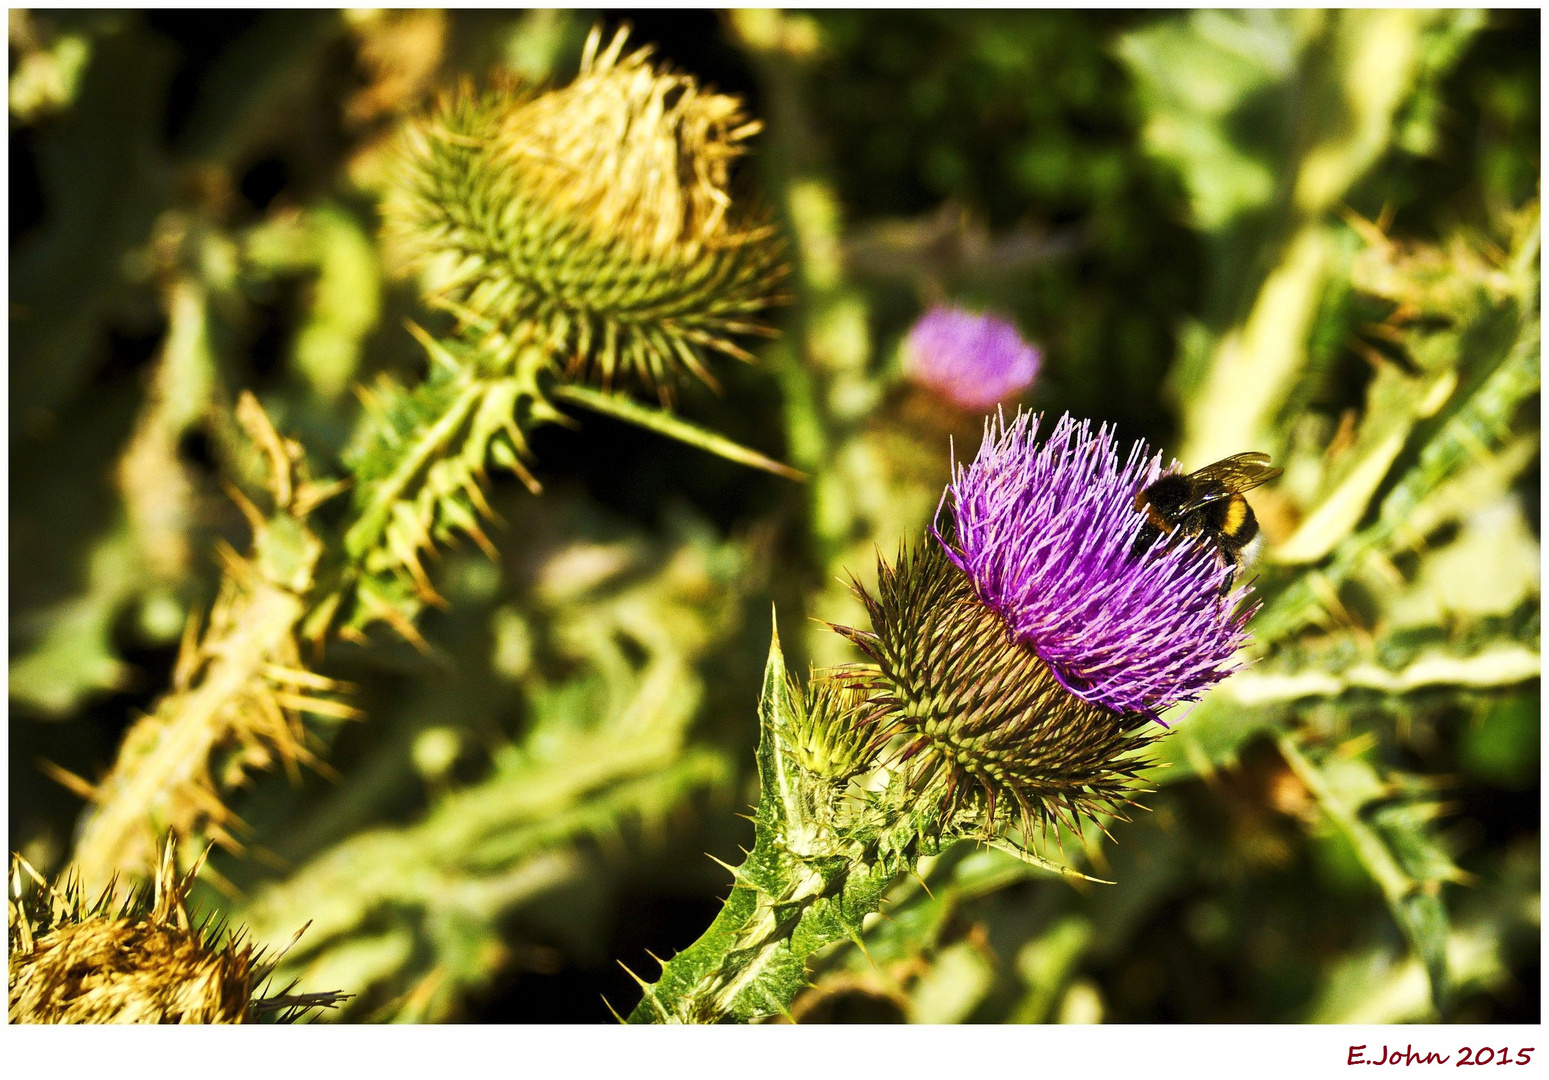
(983, 726)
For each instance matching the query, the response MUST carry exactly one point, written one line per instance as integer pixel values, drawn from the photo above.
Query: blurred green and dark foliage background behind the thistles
(1186, 212)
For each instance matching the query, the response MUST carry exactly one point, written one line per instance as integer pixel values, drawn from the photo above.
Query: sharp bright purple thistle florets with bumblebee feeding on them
(1046, 532)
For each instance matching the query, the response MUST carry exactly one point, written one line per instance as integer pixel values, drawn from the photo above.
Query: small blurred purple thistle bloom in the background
(972, 360)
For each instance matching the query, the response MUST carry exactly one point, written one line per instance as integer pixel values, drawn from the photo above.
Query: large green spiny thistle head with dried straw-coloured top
(592, 219)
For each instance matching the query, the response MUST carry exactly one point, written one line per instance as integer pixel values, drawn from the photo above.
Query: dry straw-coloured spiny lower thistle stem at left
(239, 689)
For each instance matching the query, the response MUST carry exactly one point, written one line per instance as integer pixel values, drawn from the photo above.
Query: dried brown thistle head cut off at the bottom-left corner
(140, 961)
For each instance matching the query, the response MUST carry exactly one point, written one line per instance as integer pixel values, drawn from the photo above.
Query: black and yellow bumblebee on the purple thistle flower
(1207, 504)
